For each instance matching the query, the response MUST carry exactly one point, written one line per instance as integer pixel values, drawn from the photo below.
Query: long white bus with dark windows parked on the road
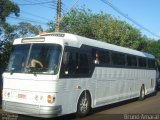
(59, 73)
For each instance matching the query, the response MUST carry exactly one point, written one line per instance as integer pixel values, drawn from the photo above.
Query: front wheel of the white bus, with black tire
(84, 105)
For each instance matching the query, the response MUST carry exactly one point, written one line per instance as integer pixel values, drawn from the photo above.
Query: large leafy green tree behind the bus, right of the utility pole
(100, 26)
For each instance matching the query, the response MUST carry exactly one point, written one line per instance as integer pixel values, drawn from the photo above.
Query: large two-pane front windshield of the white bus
(35, 58)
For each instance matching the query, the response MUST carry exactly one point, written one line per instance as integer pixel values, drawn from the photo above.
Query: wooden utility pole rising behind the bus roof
(58, 16)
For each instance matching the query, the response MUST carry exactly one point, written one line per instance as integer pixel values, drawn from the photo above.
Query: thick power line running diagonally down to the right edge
(129, 18)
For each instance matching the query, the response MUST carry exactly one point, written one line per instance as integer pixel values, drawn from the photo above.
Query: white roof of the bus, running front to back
(78, 41)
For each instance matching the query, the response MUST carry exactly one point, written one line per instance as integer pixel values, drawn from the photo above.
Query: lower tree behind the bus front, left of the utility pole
(12, 32)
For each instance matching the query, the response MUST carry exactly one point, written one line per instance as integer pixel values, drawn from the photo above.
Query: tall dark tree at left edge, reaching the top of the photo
(7, 7)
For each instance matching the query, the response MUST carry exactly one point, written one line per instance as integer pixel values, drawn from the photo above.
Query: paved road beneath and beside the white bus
(149, 109)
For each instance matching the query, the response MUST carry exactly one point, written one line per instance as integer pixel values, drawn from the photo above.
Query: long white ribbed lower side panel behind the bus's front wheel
(117, 84)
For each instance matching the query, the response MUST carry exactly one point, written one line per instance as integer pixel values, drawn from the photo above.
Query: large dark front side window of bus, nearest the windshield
(75, 63)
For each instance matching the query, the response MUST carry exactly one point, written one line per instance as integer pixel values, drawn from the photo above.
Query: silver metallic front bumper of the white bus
(31, 110)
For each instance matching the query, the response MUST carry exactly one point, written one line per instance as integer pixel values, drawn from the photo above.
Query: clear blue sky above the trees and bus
(143, 12)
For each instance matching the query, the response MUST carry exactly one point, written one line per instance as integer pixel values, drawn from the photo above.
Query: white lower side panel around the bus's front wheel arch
(69, 91)
